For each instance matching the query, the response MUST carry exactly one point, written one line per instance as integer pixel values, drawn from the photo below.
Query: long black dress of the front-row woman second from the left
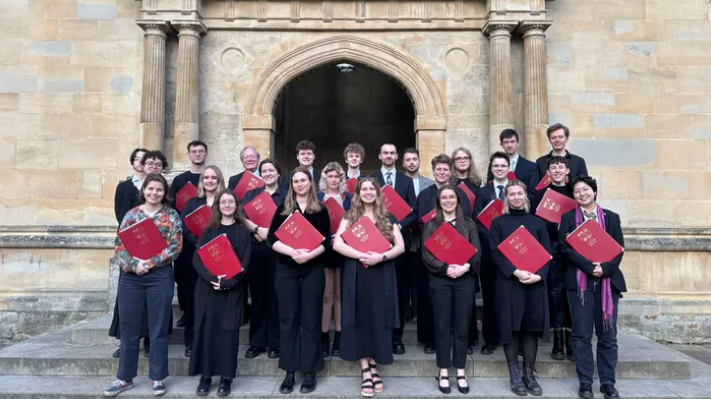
(218, 314)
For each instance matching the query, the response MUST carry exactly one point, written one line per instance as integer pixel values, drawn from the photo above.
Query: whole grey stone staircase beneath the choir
(76, 363)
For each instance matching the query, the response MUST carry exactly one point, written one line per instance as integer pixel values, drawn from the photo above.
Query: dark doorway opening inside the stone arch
(332, 109)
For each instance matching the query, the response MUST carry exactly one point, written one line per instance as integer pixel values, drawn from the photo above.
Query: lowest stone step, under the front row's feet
(15, 387)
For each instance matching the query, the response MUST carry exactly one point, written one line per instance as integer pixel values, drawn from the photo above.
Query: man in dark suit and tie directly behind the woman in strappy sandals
(388, 175)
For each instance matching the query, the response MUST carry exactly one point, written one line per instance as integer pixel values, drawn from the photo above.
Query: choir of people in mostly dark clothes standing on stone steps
(295, 294)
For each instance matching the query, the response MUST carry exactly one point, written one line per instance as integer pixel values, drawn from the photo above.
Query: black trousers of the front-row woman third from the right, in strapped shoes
(452, 301)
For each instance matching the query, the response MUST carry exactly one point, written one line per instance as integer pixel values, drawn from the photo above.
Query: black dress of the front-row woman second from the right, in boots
(520, 307)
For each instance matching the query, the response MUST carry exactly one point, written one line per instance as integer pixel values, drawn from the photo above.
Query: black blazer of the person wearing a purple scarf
(577, 261)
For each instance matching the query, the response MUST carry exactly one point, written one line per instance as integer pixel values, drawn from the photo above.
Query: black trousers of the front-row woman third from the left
(300, 294)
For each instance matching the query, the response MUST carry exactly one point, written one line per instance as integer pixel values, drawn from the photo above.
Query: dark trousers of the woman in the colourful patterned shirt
(136, 294)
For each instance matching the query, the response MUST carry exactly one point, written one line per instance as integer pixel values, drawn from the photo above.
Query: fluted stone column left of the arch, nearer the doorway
(187, 105)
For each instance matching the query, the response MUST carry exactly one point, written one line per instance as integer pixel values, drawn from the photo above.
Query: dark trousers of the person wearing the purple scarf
(585, 318)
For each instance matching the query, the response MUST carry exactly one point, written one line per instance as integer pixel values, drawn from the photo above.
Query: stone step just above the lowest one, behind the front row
(638, 359)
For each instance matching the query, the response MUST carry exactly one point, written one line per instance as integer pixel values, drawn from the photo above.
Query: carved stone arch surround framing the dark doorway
(430, 123)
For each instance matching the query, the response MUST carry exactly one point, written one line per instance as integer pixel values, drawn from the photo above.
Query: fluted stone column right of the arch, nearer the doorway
(501, 115)
